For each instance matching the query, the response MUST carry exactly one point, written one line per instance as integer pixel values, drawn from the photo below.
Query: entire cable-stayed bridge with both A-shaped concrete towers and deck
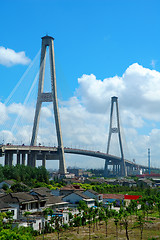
(29, 154)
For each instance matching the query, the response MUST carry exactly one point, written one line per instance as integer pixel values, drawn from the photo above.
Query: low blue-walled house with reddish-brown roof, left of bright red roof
(110, 198)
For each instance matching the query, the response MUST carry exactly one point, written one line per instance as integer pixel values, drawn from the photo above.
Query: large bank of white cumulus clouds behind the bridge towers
(85, 116)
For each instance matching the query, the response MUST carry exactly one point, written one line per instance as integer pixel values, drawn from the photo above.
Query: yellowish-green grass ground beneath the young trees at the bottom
(151, 231)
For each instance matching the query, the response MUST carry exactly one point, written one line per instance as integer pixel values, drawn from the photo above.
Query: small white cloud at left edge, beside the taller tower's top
(8, 57)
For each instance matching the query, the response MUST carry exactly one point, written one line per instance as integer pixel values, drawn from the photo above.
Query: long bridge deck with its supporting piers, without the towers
(44, 153)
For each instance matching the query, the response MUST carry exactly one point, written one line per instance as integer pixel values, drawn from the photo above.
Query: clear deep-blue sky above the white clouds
(100, 37)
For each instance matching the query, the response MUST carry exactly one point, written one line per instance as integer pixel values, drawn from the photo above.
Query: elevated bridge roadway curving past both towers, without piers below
(51, 153)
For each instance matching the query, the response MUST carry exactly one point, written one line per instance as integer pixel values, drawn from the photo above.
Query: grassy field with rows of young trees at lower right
(130, 222)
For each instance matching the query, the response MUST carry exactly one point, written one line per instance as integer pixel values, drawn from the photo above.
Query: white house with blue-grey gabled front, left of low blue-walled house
(74, 198)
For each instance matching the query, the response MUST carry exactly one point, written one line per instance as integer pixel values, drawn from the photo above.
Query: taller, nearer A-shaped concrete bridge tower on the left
(47, 41)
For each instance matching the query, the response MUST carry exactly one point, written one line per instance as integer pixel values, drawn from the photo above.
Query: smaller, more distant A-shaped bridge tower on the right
(115, 130)
